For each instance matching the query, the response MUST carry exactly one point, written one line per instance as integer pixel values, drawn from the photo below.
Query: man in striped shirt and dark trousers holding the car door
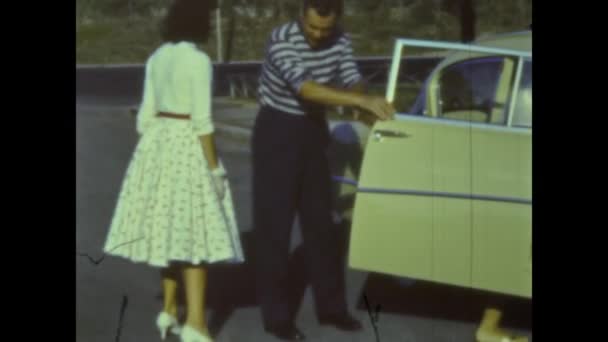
(308, 65)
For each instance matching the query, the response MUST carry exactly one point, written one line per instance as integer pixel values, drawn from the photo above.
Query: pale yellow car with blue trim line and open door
(444, 192)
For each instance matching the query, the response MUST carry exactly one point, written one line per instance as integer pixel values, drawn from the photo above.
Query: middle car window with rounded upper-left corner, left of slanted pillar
(467, 90)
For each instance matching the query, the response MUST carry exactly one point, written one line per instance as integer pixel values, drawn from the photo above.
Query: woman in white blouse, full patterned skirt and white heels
(175, 208)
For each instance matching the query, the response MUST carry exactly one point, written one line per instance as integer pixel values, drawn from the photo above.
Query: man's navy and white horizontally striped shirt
(290, 61)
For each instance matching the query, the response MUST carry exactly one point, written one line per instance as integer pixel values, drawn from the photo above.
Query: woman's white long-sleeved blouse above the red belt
(178, 80)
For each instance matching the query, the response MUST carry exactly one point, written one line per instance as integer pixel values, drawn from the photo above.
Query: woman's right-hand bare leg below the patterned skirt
(195, 279)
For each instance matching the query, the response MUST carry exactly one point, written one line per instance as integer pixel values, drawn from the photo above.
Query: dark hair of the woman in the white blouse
(188, 20)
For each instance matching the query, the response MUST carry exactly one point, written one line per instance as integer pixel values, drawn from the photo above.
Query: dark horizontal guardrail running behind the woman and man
(234, 79)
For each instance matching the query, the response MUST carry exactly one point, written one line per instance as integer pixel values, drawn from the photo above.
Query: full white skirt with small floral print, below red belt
(168, 209)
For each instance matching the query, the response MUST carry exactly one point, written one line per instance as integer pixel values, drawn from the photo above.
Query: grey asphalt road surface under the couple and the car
(118, 301)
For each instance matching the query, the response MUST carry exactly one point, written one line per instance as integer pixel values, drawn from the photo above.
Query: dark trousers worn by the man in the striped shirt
(291, 174)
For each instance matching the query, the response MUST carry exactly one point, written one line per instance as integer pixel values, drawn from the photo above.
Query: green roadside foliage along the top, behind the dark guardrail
(125, 31)
